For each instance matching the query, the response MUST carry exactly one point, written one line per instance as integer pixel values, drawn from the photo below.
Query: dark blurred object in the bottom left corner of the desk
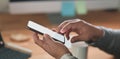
(7, 53)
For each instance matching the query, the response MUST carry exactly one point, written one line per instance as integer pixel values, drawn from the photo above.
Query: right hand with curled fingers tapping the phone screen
(85, 31)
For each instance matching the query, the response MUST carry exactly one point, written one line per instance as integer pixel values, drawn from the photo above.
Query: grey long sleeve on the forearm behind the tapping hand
(110, 42)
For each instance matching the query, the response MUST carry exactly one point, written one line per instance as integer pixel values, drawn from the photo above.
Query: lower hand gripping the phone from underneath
(55, 49)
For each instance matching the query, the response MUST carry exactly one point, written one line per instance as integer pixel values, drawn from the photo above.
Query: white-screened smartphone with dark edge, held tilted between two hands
(43, 30)
